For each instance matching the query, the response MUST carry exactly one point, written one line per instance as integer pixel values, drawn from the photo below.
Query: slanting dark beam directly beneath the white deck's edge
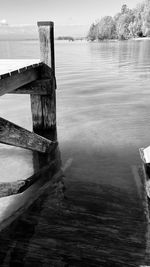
(17, 80)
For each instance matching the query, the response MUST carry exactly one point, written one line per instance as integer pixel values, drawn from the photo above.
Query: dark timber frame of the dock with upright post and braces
(39, 81)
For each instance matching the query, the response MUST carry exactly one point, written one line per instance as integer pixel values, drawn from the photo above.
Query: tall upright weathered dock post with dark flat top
(44, 106)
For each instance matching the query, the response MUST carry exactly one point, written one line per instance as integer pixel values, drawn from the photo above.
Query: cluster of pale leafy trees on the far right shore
(128, 23)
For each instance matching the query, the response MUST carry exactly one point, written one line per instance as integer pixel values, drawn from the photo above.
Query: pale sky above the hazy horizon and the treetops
(80, 12)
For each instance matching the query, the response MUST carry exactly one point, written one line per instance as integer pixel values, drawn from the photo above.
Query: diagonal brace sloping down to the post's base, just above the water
(15, 135)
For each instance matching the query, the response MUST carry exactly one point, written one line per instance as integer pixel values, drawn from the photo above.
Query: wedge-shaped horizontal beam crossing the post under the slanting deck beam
(38, 87)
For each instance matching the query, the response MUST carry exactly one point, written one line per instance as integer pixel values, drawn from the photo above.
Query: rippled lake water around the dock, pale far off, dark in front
(103, 118)
